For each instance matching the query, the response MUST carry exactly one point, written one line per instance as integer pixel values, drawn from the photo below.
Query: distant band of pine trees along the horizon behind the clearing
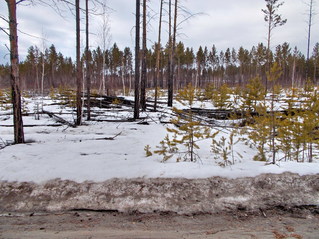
(112, 69)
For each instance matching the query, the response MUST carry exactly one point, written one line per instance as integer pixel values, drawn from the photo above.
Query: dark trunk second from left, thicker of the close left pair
(78, 66)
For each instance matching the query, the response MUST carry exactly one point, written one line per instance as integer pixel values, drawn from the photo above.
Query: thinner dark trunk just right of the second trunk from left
(88, 79)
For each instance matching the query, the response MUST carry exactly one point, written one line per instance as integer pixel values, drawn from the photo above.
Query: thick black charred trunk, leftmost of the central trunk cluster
(137, 62)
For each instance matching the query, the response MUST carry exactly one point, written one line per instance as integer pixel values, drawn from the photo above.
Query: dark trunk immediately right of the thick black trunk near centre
(144, 70)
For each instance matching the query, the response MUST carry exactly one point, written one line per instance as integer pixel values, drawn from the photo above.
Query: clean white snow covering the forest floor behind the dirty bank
(81, 154)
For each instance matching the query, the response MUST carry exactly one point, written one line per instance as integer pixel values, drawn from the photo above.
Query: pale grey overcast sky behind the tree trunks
(228, 23)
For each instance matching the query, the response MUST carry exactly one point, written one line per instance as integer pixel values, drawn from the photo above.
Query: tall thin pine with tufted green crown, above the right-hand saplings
(274, 20)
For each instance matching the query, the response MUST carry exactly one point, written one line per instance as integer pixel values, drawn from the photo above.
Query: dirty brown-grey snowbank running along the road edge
(180, 195)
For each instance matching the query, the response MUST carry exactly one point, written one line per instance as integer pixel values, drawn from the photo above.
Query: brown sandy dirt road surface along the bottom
(98, 225)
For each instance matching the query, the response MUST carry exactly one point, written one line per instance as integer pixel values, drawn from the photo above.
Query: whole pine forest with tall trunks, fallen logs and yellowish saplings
(265, 94)
